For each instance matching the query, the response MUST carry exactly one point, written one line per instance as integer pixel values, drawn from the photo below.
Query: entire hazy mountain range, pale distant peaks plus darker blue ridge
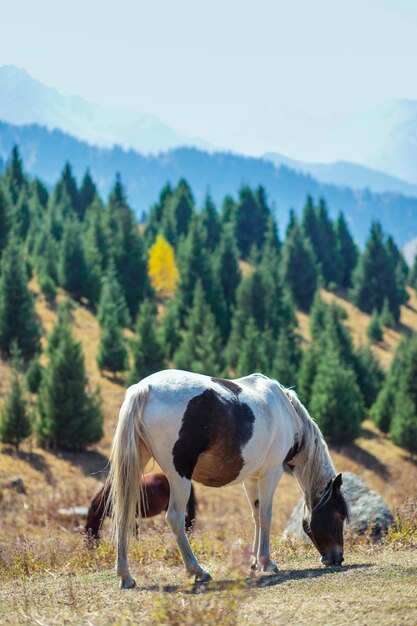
(51, 129)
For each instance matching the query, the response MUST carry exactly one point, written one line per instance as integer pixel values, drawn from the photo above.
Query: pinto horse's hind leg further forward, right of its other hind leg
(180, 492)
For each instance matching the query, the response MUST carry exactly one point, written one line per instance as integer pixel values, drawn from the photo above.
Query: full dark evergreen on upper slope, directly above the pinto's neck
(299, 269)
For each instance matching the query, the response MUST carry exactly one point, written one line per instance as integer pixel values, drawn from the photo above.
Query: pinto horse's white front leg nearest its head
(267, 486)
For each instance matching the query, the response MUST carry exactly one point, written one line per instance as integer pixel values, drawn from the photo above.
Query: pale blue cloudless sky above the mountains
(215, 68)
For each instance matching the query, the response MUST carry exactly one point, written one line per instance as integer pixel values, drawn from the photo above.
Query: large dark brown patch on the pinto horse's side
(213, 433)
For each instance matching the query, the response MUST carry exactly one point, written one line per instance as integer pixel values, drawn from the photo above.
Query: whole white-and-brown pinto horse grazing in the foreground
(221, 432)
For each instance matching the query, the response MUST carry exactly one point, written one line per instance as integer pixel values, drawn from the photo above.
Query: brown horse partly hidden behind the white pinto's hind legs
(155, 499)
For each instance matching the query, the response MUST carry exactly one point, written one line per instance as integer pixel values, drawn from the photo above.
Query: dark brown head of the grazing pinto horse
(325, 522)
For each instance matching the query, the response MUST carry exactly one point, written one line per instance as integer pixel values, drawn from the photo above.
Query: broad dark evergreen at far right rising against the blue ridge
(374, 278)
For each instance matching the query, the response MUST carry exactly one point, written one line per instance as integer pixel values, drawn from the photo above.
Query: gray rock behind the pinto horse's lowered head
(369, 512)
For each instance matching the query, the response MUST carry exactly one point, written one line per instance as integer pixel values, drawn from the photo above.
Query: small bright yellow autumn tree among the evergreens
(162, 268)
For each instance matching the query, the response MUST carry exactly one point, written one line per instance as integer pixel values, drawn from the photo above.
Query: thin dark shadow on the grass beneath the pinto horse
(255, 582)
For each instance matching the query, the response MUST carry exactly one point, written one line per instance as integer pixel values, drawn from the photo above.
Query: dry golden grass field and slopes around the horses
(47, 576)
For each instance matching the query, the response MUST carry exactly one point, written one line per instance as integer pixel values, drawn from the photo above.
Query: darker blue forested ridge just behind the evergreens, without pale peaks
(45, 152)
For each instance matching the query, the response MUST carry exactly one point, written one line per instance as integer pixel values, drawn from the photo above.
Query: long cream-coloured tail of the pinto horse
(126, 467)
